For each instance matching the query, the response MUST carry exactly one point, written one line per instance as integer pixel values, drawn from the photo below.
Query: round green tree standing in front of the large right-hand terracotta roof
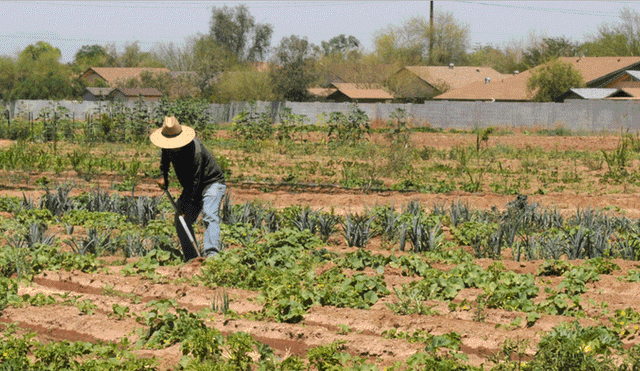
(552, 79)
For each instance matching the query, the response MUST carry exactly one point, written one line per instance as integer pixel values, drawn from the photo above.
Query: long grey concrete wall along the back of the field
(576, 115)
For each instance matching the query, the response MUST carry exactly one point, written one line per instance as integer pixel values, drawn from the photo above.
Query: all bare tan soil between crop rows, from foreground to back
(322, 325)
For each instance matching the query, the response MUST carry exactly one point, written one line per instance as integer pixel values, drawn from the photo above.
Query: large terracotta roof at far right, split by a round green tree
(597, 72)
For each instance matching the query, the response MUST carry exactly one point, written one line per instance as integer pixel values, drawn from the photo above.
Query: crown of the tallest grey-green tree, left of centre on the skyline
(235, 30)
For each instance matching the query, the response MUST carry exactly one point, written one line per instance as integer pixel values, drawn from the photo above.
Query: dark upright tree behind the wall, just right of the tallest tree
(293, 71)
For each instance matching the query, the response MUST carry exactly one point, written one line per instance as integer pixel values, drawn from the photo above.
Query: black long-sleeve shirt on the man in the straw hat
(195, 168)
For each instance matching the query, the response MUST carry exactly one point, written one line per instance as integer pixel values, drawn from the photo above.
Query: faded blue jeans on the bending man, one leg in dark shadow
(210, 207)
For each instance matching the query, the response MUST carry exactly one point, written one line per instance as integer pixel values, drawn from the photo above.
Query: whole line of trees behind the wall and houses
(235, 60)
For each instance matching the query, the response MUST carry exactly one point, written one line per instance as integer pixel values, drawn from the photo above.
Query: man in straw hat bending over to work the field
(202, 181)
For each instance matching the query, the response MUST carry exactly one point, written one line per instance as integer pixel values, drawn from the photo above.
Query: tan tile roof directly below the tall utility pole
(455, 77)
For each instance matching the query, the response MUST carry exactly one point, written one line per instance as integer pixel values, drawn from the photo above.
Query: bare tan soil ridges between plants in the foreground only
(322, 325)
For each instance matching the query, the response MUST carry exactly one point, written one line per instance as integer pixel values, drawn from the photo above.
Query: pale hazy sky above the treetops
(68, 25)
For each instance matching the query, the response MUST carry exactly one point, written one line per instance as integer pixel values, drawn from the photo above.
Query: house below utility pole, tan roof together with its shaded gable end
(424, 82)
